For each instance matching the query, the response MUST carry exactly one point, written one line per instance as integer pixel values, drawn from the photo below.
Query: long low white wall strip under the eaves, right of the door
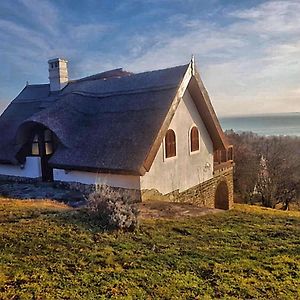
(123, 181)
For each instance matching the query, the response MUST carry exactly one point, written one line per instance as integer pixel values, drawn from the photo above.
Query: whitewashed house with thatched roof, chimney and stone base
(154, 134)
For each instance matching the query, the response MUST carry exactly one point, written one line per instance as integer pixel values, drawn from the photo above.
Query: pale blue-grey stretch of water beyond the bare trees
(268, 124)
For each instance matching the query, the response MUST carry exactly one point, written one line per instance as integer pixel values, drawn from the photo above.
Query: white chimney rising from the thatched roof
(58, 74)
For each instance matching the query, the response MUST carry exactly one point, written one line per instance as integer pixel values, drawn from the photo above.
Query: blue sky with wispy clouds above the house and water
(247, 51)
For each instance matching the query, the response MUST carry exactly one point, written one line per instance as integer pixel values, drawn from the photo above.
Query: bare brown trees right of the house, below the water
(267, 168)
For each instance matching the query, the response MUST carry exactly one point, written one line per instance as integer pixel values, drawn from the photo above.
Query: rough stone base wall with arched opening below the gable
(203, 194)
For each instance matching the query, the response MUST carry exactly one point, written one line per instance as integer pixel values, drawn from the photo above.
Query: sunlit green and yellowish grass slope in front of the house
(48, 251)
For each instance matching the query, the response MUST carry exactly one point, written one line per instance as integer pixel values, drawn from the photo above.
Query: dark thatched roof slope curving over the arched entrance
(107, 122)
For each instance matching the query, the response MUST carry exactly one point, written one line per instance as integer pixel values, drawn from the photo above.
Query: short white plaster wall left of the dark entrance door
(32, 168)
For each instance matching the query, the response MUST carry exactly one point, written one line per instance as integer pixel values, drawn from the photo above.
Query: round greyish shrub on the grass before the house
(114, 209)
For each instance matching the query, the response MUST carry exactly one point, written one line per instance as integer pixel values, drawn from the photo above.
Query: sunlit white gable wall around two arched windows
(186, 169)
